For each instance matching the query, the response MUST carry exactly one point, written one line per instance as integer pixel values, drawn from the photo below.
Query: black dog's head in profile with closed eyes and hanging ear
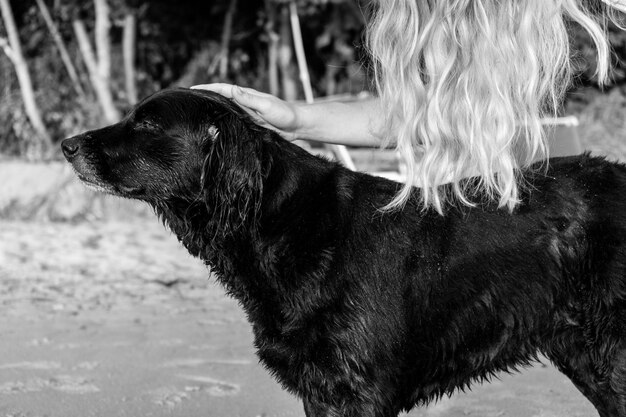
(179, 146)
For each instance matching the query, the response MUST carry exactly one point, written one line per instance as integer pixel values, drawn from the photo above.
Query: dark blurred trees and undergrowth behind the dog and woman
(74, 65)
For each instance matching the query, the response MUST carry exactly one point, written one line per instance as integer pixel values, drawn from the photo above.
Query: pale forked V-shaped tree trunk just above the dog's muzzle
(98, 68)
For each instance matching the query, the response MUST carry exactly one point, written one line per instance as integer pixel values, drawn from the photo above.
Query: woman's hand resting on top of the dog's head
(267, 110)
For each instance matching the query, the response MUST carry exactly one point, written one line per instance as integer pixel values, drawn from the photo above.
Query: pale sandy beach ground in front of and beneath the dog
(116, 319)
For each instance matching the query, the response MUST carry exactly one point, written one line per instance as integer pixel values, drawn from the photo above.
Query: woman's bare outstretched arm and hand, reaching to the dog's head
(358, 123)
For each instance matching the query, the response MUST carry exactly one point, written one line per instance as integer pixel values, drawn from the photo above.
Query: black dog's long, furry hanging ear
(232, 176)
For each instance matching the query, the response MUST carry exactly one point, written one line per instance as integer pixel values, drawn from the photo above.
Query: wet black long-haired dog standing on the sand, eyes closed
(367, 313)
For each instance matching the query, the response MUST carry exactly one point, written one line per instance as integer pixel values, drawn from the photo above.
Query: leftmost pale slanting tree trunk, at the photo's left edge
(39, 147)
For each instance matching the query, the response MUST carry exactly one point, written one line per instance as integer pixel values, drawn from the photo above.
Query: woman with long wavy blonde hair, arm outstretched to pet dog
(462, 88)
